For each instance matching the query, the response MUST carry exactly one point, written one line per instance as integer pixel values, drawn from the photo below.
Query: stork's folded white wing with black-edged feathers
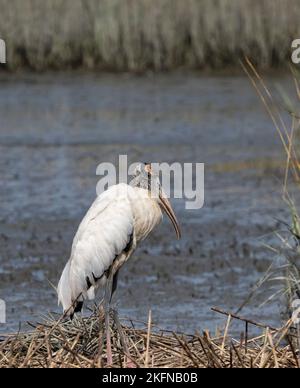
(103, 235)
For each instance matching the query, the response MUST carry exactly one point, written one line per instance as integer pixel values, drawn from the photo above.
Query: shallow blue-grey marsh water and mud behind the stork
(56, 129)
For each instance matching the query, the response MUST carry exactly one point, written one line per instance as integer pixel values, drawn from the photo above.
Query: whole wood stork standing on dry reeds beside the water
(116, 222)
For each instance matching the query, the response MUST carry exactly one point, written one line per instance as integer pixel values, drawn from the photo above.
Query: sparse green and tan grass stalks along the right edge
(285, 270)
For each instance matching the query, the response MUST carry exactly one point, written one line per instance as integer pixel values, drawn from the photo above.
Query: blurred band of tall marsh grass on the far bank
(137, 35)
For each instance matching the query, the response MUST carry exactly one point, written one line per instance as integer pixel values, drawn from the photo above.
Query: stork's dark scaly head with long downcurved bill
(147, 179)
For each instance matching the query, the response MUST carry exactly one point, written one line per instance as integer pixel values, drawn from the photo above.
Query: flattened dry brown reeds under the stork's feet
(77, 344)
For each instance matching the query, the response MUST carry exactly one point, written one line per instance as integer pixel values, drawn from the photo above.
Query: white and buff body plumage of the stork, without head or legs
(119, 215)
